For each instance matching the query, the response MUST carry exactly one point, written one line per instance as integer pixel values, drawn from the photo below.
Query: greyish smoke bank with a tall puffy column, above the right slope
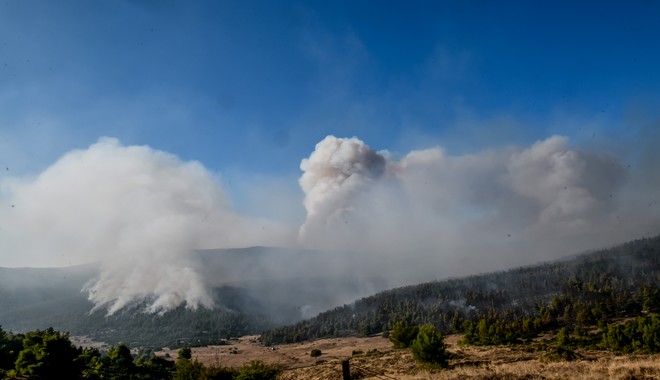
(432, 215)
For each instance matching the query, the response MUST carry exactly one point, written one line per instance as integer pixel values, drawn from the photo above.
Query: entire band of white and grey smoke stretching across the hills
(141, 212)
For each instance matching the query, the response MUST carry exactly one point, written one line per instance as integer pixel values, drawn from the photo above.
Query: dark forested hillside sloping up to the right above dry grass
(585, 290)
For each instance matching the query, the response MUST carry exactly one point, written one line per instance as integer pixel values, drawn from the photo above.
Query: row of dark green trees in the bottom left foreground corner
(49, 354)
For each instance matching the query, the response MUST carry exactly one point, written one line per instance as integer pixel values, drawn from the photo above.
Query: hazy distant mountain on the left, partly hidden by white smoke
(255, 288)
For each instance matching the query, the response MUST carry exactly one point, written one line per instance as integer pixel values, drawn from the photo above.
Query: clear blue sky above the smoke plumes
(252, 86)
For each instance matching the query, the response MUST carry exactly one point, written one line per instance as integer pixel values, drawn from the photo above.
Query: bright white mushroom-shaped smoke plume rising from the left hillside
(137, 211)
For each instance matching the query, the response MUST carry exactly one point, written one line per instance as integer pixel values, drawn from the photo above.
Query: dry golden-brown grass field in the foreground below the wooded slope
(374, 358)
